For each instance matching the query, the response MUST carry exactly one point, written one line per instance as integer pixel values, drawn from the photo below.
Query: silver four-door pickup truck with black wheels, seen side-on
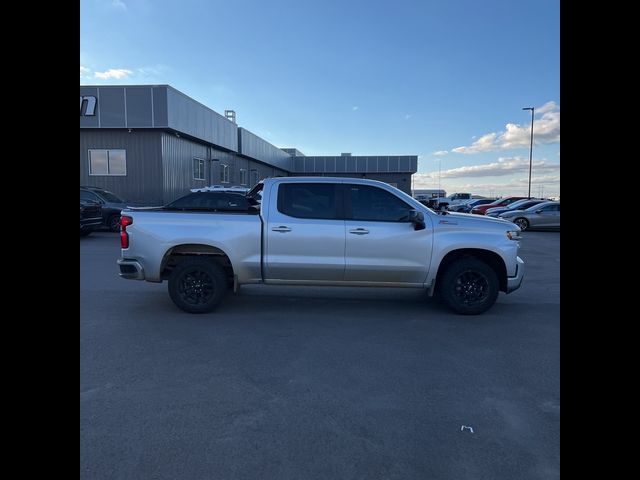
(322, 231)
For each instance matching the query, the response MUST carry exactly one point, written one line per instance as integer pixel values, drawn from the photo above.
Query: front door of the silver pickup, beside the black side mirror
(382, 246)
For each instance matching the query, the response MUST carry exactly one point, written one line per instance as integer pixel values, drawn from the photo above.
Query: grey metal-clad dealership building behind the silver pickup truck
(151, 144)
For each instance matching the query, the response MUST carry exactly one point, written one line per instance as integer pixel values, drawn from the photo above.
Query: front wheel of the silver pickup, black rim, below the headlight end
(469, 286)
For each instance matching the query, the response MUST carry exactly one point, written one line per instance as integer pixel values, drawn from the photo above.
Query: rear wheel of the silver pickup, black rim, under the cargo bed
(197, 285)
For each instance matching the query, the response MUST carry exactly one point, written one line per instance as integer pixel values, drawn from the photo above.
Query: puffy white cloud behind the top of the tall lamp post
(545, 130)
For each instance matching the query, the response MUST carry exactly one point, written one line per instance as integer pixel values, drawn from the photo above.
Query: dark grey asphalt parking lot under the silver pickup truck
(318, 383)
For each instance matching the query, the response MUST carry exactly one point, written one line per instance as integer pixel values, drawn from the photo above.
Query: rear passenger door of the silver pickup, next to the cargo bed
(305, 240)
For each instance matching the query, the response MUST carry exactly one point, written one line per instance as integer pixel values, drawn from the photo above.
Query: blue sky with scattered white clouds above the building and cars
(445, 80)
